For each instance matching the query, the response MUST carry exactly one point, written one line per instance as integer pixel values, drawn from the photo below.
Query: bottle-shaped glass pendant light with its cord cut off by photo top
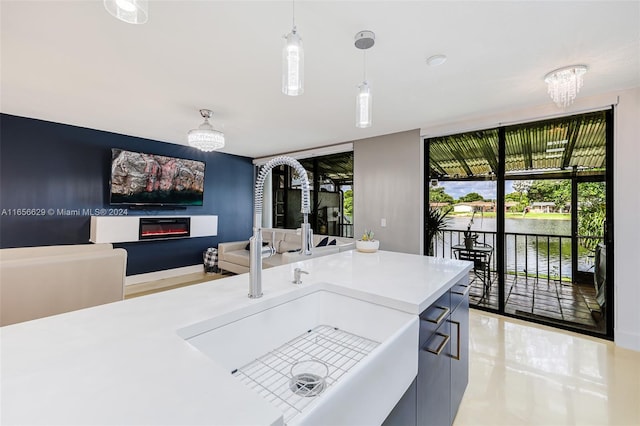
(293, 62)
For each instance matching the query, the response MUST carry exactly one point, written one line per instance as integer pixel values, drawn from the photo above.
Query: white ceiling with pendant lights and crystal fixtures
(72, 62)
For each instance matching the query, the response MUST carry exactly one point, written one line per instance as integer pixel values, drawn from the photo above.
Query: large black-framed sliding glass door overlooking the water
(537, 197)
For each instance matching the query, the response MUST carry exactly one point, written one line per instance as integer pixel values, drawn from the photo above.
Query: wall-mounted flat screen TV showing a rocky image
(155, 180)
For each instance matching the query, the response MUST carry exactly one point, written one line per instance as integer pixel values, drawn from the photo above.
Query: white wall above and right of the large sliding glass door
(626, 199)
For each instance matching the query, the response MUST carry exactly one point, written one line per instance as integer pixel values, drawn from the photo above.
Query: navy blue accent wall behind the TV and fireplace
(60, 169)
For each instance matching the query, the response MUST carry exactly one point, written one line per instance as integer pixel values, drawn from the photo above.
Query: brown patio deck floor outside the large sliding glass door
(556, 302)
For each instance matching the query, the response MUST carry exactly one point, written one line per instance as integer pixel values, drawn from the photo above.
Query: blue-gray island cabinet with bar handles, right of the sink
(443, 363)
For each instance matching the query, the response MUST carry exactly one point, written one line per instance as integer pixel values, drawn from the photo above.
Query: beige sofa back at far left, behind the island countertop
(36, 282)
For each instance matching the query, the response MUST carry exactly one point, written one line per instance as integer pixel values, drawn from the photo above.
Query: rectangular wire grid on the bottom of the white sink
(270, 375)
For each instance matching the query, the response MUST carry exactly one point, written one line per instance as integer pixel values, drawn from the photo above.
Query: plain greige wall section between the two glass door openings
(387, 184)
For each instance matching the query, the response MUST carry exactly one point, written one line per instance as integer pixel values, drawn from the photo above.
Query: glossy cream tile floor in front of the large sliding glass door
(526, 374)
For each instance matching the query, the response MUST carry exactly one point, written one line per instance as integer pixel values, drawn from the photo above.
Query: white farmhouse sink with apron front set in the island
(364, 394)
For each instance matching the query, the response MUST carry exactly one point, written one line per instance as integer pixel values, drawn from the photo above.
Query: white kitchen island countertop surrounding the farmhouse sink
(124, 363)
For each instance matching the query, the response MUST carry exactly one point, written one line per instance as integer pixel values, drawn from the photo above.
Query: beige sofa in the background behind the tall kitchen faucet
(234, 257)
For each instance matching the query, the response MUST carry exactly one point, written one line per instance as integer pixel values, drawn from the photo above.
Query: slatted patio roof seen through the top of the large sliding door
(557, 146)
